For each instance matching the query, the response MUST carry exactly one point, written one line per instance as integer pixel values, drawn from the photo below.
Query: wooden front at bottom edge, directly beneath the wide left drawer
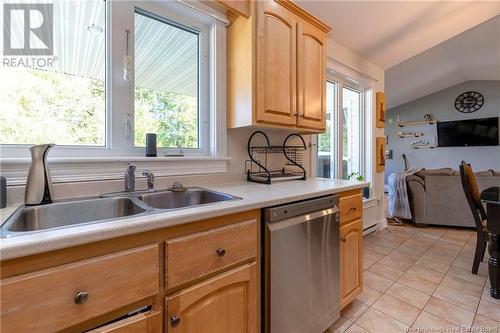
(142, 323)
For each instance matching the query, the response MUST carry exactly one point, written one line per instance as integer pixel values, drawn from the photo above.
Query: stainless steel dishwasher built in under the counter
(301, 266)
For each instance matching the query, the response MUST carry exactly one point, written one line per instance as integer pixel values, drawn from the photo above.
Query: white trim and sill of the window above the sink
(78, 163)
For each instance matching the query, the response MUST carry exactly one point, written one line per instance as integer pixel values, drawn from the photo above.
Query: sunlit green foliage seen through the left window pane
(40, 107)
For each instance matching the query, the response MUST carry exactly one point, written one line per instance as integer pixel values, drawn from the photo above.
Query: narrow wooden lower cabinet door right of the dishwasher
(351, 261)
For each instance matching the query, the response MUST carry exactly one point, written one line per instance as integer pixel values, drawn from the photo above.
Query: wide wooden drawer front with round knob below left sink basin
(60, 297)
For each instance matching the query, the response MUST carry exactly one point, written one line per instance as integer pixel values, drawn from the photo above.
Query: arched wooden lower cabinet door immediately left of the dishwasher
(225, 303)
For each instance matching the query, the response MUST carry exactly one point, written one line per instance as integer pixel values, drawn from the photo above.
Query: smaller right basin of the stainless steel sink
(192, 196)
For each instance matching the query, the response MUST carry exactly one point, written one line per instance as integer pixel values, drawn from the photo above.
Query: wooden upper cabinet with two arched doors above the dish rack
(276, 68)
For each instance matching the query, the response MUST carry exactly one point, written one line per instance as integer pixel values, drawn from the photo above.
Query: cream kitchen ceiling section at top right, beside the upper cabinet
(389, 32)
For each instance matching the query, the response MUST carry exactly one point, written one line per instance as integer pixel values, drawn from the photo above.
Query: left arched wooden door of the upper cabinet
(276, 64)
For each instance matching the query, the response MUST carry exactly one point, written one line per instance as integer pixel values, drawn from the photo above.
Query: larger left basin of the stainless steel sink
(70, 213)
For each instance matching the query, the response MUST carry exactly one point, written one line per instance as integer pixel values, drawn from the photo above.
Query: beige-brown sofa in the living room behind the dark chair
(436, 196)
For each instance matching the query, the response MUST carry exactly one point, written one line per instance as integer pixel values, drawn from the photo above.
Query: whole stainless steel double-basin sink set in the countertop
(27, 219)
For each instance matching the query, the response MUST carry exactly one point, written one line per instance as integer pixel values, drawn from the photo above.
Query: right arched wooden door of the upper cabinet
(311, 77)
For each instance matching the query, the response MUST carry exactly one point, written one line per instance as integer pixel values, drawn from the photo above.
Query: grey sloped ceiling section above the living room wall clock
(471, 55)
